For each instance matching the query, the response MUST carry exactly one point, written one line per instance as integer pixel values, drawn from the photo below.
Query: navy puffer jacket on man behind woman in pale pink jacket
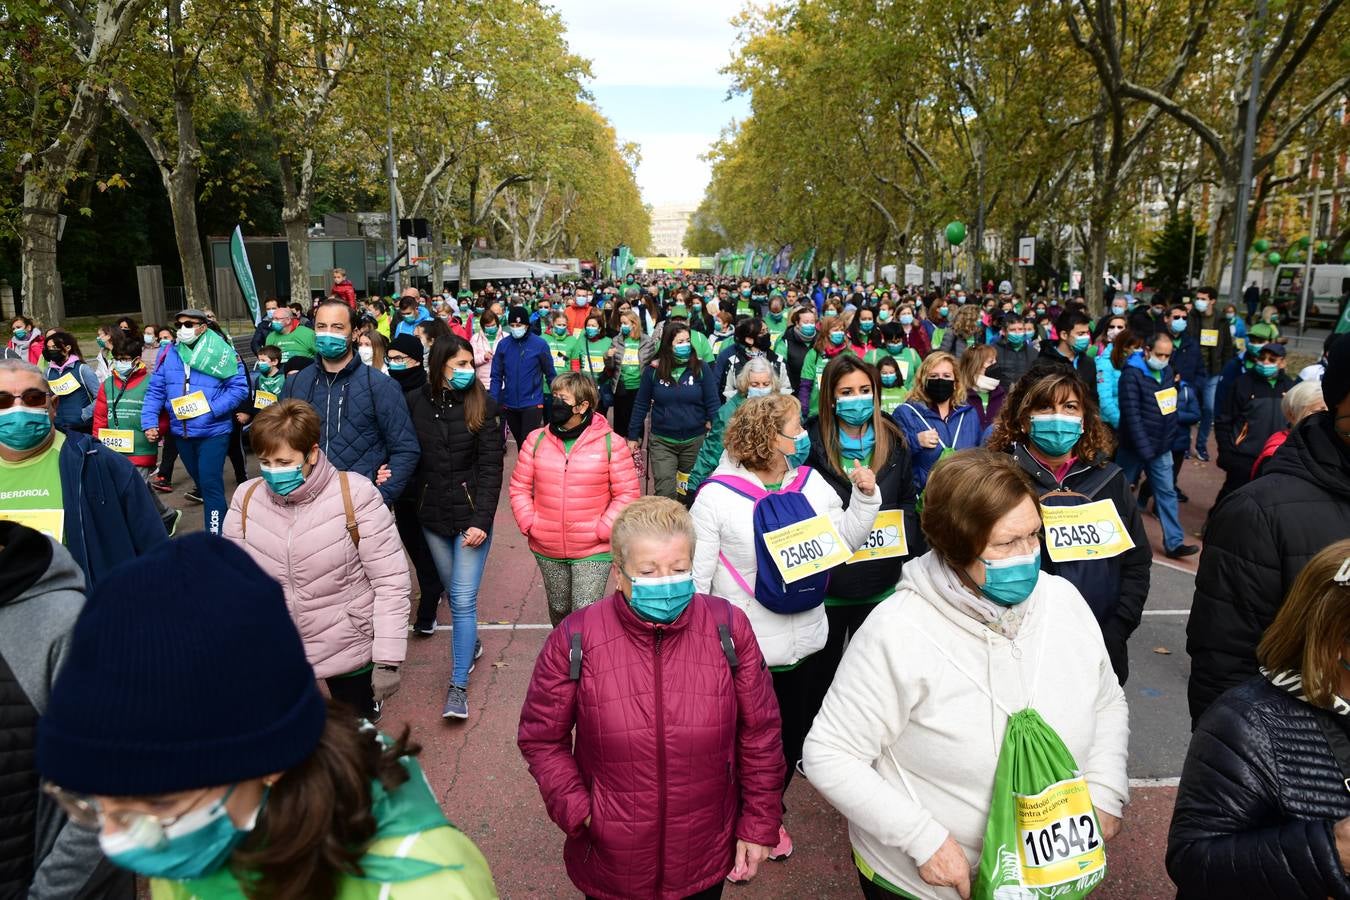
(365, 422)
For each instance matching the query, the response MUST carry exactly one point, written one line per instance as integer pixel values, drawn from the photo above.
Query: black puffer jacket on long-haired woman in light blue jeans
(460, 474)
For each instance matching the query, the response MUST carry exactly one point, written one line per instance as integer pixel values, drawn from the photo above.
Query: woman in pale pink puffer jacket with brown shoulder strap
(331, 543)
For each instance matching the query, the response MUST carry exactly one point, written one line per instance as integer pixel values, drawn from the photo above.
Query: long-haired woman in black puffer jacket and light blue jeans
(457, 485)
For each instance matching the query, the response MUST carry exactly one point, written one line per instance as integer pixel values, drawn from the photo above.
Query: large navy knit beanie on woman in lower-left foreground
(184, 673)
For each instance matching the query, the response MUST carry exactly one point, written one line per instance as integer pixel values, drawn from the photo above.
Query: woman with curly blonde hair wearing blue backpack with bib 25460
(766, 450)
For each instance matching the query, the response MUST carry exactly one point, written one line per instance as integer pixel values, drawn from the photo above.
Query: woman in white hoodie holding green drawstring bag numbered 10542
(908, 740)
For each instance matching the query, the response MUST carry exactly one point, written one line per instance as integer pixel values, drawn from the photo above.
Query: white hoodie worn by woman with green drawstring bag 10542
(927, 690)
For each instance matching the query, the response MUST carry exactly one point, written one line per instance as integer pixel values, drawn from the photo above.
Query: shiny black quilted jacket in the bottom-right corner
(1259, 798)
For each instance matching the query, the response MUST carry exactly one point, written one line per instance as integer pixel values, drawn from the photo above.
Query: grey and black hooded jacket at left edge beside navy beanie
(41, 596)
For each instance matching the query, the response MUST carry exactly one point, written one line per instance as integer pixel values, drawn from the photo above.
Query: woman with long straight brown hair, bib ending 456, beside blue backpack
(854, 430)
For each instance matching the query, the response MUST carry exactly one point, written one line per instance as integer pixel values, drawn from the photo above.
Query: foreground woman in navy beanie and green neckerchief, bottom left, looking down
(281, 794)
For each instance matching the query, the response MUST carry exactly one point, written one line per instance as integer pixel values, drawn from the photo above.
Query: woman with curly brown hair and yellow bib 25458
(1054, 431)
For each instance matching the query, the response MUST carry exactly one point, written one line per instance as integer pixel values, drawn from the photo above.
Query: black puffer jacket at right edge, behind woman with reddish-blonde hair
(1258, 542)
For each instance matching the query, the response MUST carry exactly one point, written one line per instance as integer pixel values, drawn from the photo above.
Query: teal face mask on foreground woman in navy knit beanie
(196, 845)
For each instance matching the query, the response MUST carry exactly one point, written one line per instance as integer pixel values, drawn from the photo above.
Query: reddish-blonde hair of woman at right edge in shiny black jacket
(1310, 631)
